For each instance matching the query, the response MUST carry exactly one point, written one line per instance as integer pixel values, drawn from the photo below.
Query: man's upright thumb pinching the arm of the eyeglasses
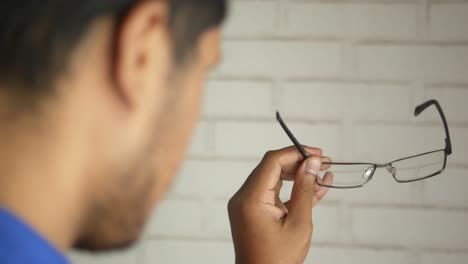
(302, 196)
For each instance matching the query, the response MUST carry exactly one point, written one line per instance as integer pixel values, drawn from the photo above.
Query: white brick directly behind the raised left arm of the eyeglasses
(248, 139)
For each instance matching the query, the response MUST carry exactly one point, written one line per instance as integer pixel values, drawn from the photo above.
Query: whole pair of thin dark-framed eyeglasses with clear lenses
(409, 169)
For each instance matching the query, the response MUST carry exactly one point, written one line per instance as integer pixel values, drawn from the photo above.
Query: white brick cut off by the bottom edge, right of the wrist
(330, 255)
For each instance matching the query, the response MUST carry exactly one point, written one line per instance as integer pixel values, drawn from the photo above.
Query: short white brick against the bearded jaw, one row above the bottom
(171, 218)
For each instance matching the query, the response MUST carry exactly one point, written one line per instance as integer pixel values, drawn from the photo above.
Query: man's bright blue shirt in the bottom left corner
(20, 244)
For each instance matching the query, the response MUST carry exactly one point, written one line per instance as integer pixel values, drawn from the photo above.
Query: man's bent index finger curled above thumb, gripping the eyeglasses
(275, 163)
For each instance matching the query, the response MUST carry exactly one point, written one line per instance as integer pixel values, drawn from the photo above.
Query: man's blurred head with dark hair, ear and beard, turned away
(112, 89)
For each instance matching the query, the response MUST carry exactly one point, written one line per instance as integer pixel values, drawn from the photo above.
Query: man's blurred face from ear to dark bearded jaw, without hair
(153, 126)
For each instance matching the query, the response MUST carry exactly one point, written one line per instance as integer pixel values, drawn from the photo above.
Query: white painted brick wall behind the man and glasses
(347, 75)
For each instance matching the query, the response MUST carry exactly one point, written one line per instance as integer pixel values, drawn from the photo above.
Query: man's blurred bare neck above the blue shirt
(36, 183)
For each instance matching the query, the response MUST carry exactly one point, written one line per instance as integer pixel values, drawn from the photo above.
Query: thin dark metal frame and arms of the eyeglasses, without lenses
(418, 110)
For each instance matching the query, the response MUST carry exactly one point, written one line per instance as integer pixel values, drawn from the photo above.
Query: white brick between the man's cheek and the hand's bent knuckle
(211, 179)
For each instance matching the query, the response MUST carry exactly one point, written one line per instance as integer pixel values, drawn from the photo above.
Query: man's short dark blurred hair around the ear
(38, 37)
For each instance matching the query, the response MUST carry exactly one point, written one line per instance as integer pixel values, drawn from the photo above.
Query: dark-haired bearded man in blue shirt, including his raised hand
(98, 99)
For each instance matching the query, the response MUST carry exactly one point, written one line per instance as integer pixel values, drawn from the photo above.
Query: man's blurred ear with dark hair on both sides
(142, 55)
